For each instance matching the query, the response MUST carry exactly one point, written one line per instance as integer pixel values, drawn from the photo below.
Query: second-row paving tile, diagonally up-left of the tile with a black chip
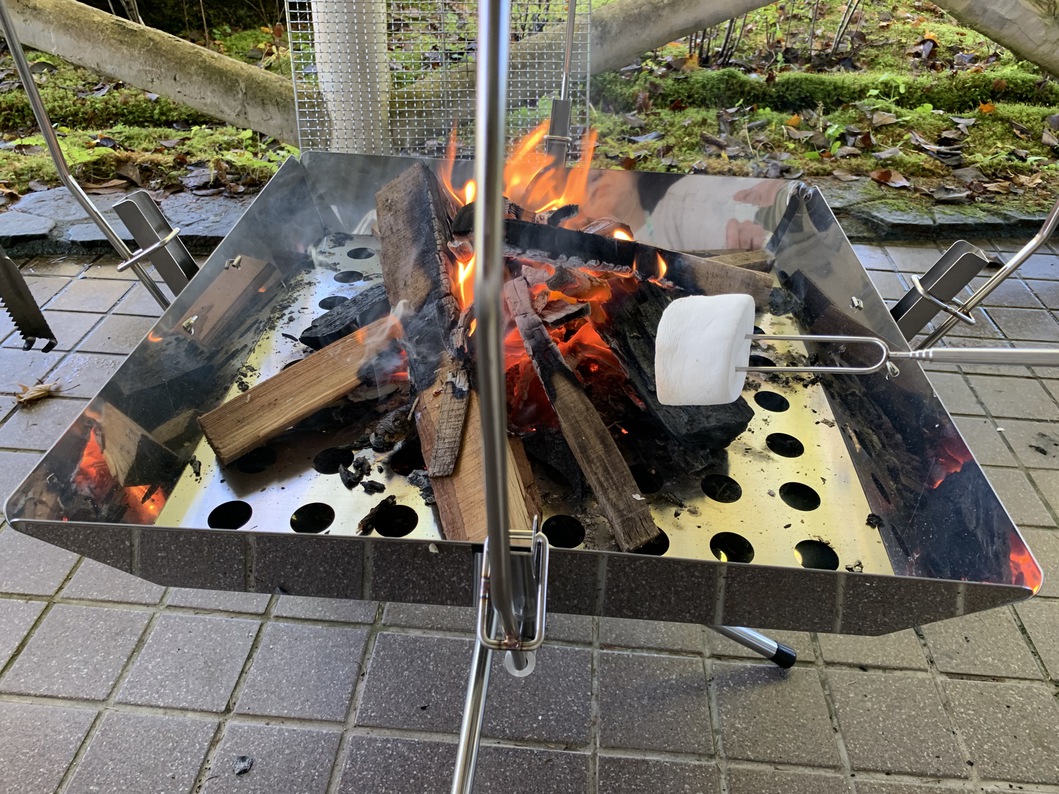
(190, 662)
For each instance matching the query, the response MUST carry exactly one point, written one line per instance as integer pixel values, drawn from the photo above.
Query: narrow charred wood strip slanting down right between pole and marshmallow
(617, 492)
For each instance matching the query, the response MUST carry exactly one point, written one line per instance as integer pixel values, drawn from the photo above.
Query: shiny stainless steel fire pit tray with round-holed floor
(896, 504)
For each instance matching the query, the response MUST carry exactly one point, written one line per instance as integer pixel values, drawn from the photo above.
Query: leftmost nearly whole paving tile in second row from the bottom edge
(76, 653)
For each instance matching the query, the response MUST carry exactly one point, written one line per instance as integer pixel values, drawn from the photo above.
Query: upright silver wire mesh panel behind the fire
(393, 77)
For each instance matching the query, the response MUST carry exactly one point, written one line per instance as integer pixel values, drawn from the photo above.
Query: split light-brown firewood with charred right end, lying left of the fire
(267, 409)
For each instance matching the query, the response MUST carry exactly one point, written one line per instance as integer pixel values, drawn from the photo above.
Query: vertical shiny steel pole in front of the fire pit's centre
(494, 38)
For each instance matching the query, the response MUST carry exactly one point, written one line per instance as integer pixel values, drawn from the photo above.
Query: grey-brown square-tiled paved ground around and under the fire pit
(112, 684)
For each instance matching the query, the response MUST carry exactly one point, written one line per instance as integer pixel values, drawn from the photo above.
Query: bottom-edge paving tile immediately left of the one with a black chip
(141, 753)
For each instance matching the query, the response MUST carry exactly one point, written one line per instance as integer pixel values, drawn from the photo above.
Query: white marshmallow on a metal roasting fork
(702, 340)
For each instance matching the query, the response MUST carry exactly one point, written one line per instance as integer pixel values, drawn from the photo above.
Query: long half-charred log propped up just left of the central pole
(416, 229)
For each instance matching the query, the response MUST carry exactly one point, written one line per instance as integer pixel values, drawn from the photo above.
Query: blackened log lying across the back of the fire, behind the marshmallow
(699, 276)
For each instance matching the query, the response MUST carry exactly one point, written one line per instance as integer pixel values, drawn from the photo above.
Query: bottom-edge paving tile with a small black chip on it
(286, 760)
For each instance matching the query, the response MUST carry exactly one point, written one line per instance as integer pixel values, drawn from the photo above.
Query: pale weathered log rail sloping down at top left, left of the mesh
(211, 83)
